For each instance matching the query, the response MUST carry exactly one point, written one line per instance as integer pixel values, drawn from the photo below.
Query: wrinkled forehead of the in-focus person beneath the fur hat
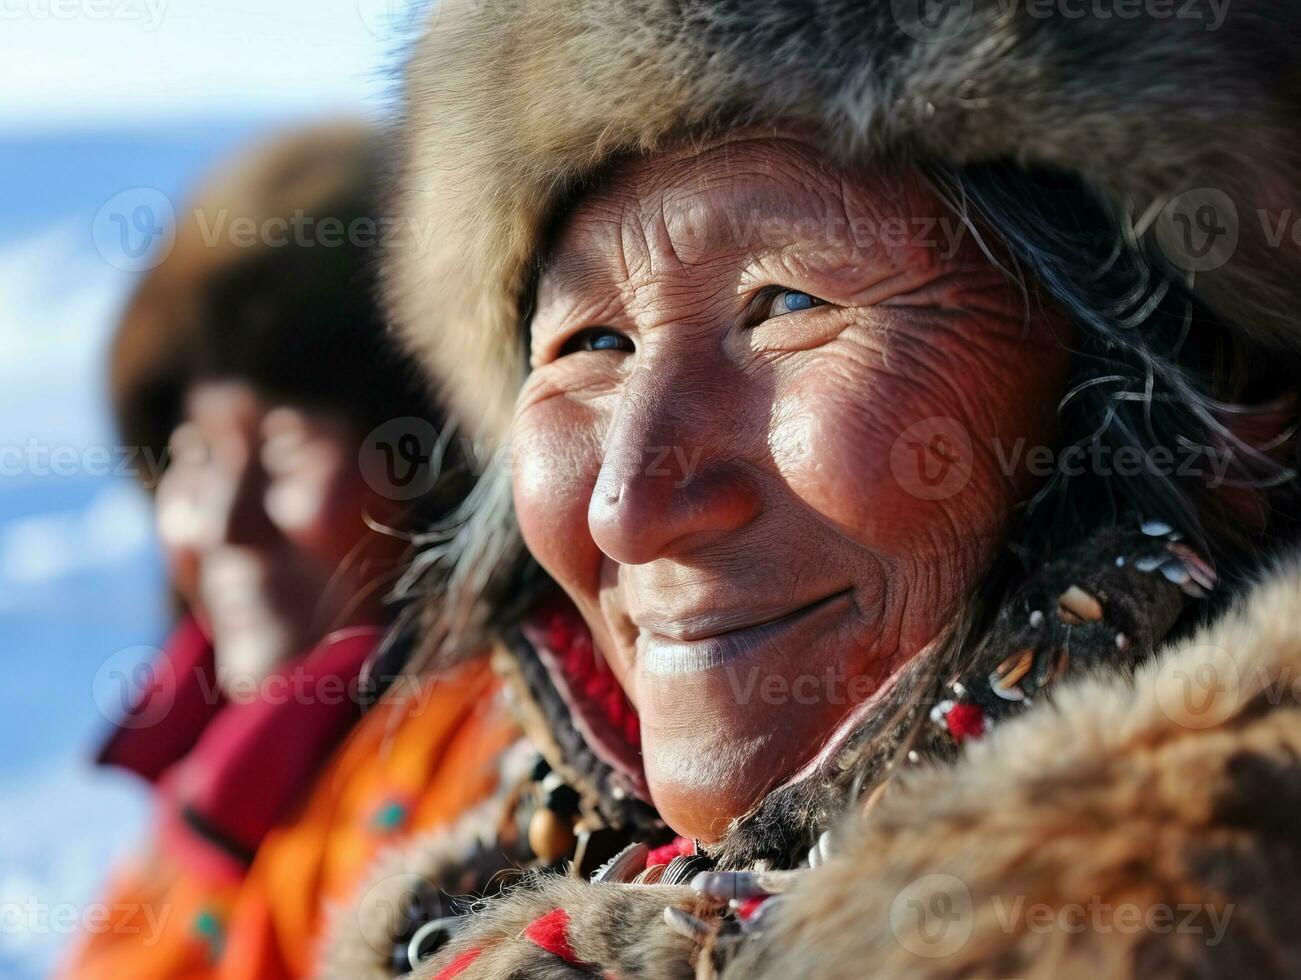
(682, 213)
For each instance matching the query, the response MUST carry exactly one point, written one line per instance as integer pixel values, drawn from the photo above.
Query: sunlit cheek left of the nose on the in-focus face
(555, 467)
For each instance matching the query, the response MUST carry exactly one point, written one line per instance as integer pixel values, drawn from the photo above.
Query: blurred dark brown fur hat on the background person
(287, 303)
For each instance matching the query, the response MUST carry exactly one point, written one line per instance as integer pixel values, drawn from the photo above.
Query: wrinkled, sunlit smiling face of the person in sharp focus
(764, 444)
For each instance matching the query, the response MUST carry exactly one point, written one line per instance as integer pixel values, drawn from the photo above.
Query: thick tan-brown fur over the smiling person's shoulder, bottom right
(1175, 796)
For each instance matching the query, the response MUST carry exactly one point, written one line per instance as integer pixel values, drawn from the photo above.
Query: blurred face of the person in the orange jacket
(261, 511)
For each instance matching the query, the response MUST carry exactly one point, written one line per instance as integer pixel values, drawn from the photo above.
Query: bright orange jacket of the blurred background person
(413, 763)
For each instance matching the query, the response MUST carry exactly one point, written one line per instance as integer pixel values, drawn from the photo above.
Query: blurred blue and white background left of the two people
(105, 97)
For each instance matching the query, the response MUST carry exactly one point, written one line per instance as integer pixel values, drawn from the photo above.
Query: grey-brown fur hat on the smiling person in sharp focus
(511, 102)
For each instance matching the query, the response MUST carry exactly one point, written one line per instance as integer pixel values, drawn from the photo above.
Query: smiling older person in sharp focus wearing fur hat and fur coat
(901, 409)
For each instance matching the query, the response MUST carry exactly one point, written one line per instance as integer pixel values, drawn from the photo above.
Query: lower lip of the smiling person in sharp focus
(665, 658)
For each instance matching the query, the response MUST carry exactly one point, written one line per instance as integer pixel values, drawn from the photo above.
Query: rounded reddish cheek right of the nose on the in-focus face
(911, 461)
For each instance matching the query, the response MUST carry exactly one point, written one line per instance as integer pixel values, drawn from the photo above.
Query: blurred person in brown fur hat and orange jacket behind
(254, 364)
